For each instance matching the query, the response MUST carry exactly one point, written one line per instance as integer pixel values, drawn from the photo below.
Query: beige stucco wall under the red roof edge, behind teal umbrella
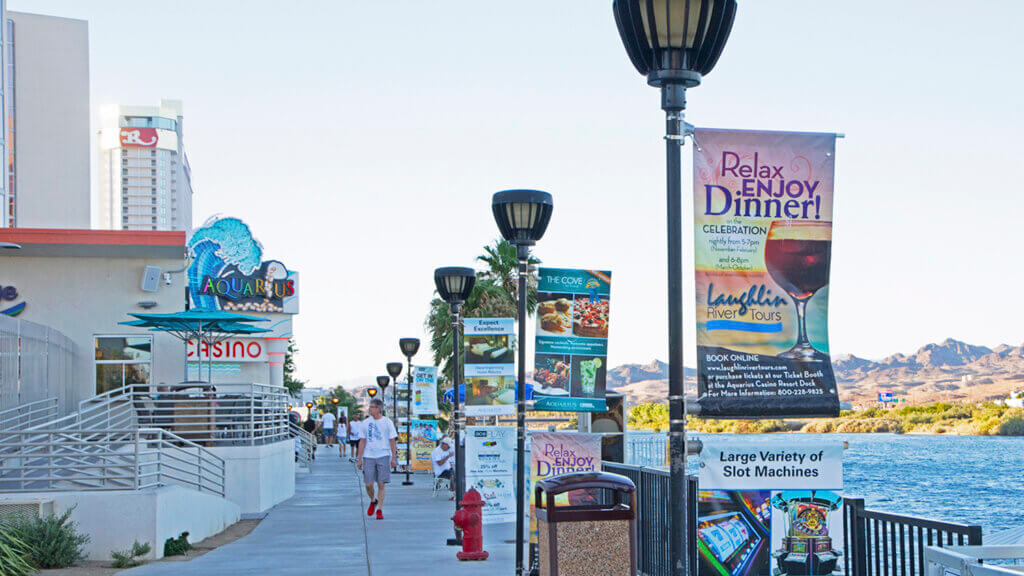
(88, 297)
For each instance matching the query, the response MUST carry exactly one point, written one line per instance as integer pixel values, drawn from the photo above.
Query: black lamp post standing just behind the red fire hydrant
(454, 285)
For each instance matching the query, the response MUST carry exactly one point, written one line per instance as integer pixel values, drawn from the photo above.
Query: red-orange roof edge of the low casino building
(94, 243)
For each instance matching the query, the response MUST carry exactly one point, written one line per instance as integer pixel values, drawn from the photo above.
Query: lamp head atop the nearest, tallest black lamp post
(674, 43)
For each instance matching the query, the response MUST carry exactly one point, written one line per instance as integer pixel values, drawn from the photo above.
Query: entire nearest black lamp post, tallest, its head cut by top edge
(675, 44)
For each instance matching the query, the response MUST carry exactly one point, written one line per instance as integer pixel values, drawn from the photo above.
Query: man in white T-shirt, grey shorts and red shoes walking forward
(378, 455)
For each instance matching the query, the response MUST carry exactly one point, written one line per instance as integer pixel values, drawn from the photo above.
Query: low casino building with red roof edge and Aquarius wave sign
(65, 293)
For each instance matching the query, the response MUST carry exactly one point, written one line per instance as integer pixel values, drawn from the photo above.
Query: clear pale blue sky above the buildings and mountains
(363, 142)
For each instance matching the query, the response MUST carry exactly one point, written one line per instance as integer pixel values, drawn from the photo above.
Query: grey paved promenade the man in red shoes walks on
(325, 527)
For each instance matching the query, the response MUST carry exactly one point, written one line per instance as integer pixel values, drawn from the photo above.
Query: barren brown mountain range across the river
(951, 371)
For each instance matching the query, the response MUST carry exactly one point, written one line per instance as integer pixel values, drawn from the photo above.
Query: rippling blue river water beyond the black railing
(965, 479)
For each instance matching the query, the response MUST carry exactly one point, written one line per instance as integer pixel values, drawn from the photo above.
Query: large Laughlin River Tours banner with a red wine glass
(763, 205)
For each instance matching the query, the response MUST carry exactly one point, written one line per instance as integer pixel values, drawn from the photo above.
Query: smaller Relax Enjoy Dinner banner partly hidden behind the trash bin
(553, 455)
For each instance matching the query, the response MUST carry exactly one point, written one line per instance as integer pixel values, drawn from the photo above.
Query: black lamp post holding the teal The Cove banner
(523, 218)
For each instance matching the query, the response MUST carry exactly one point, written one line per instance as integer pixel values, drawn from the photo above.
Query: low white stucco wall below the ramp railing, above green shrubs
(115, 520)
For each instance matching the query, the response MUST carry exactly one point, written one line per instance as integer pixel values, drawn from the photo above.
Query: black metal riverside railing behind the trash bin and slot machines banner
(877, 544)
